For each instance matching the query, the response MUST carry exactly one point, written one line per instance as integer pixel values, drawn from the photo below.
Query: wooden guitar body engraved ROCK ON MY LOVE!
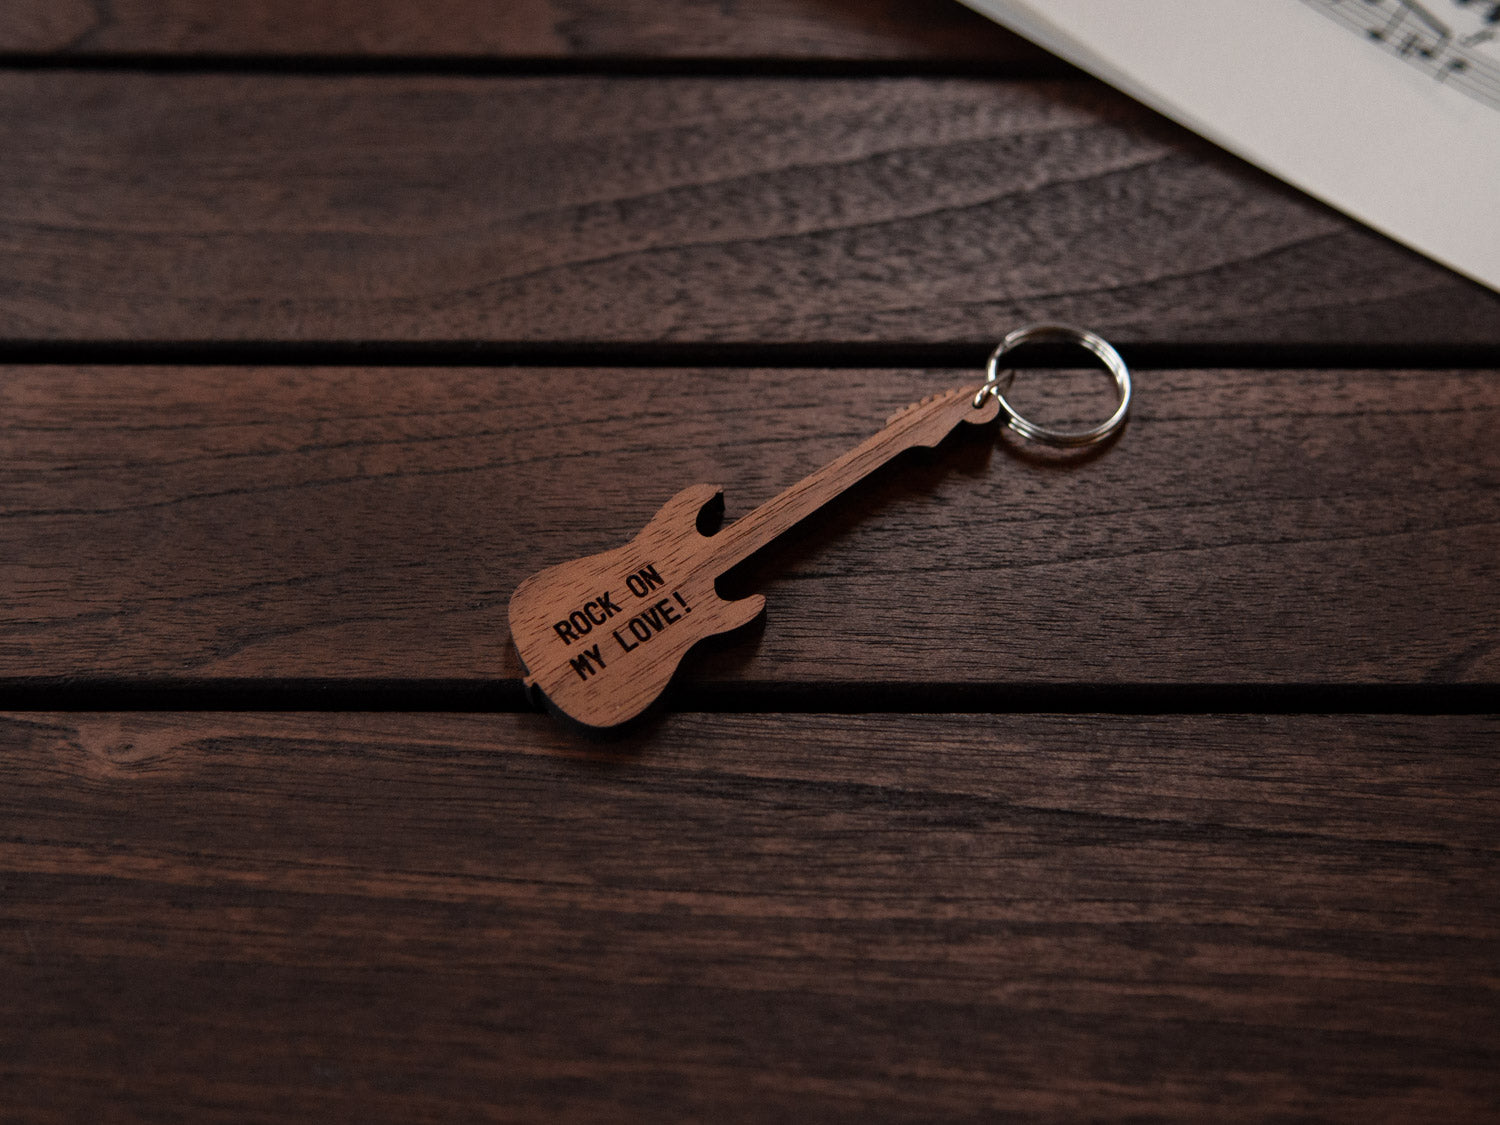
(601, 637)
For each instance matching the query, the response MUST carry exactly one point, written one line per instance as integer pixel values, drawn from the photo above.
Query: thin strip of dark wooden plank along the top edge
(904, 31)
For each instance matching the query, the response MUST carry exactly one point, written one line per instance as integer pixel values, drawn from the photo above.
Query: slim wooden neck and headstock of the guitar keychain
(920, 425)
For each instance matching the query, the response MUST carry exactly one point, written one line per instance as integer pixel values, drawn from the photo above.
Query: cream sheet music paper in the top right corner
(1388, 110)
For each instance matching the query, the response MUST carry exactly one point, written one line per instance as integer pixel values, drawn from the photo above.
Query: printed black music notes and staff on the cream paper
(1456, 44)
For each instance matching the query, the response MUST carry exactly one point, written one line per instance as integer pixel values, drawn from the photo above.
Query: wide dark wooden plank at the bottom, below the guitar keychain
(736, 919)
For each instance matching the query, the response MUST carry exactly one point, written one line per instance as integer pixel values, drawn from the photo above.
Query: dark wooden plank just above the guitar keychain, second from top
(593, 211)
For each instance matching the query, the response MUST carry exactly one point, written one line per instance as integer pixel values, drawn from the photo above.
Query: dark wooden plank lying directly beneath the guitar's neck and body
(1250, 527)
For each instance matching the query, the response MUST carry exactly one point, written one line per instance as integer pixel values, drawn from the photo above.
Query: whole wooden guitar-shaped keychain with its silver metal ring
(601, 637)
